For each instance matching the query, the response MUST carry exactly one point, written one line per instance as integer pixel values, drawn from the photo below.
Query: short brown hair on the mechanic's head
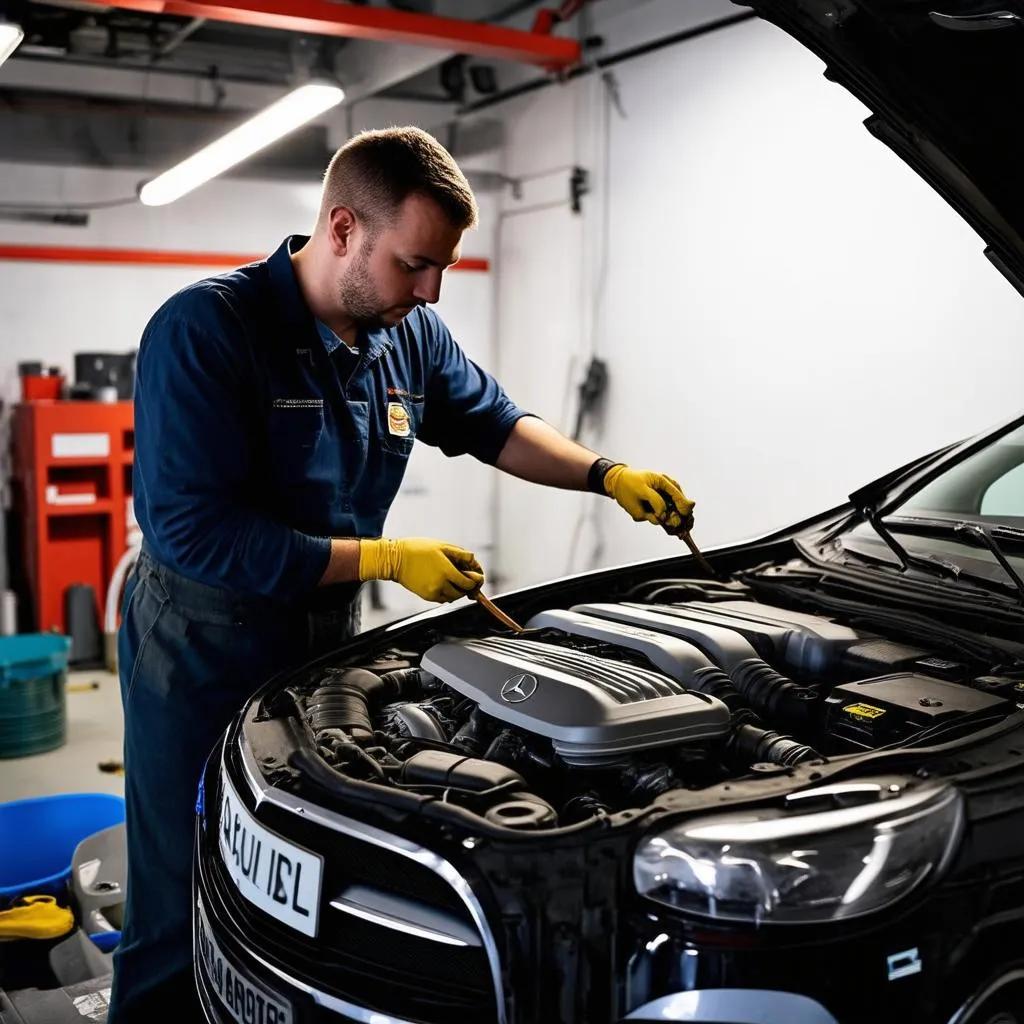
(377, 170)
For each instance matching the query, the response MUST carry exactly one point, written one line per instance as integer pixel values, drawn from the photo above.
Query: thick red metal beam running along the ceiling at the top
(378, 24)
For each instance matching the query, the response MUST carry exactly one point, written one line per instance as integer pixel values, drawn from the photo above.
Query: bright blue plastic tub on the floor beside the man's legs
(38, 838)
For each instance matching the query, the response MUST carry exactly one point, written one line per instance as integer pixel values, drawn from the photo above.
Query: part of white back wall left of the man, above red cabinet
(50, 312)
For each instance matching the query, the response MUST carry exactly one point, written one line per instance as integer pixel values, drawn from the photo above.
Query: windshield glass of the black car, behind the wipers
(988, 487)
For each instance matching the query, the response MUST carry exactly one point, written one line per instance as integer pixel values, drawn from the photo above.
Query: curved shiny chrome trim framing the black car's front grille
(377, 837)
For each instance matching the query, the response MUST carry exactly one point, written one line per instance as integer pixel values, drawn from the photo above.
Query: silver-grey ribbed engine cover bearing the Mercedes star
(594, 710)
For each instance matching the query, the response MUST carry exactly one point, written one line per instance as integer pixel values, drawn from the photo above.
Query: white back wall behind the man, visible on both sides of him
(51, 311)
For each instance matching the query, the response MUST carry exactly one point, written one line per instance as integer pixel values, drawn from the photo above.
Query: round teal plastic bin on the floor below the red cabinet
(33, 701)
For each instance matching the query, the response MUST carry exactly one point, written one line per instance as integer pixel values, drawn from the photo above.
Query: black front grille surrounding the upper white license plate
(368, 964)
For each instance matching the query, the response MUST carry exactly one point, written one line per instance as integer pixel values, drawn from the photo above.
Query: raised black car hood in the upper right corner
(946, 82)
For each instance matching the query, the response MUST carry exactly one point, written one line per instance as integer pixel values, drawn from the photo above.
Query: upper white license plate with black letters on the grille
(280, 878)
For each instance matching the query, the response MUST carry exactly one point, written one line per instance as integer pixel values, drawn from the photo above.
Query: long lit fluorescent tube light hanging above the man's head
(278, 120)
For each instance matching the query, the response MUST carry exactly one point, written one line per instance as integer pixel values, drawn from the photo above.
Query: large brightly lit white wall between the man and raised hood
(787, 310)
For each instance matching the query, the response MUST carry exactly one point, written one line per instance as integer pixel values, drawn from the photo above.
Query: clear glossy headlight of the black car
(795, 866)
